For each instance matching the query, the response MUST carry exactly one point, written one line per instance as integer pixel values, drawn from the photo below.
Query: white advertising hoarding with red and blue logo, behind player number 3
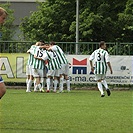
(80, 71)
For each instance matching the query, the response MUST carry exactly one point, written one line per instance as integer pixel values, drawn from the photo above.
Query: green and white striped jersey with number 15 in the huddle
(38, 64)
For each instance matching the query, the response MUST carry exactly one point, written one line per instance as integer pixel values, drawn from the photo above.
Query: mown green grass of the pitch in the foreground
(81, 111)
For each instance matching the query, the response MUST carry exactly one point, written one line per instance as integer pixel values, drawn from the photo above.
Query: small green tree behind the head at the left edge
(6, 30)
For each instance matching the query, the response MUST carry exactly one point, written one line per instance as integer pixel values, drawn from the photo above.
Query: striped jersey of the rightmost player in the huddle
(60, 54)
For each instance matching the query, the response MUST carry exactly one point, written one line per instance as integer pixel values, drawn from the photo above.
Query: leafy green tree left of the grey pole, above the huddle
(50, 22)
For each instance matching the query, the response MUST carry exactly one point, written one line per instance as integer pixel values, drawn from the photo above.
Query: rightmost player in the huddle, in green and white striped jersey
(64, 71)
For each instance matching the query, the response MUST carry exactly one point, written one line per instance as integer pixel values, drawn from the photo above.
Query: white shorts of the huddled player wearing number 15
(38, 73)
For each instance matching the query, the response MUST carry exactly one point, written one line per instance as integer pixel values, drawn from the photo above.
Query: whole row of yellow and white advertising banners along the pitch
(13, 68)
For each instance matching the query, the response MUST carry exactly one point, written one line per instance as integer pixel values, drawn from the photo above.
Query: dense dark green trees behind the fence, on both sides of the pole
(99, 20)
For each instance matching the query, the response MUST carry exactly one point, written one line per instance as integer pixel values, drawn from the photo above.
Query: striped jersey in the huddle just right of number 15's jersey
(53, 62)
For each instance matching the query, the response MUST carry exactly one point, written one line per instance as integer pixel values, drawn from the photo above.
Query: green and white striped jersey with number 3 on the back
(100, 57)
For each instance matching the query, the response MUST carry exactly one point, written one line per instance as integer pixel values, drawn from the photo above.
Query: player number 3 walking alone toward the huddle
(101, 61)
